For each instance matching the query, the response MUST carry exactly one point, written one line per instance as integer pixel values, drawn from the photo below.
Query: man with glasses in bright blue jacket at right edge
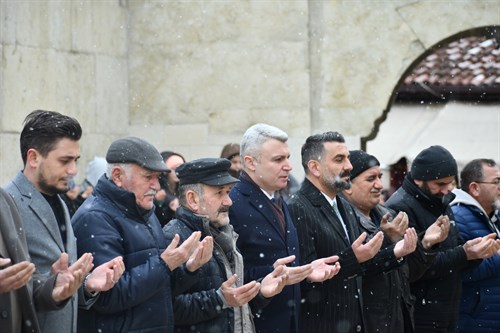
(476, 208)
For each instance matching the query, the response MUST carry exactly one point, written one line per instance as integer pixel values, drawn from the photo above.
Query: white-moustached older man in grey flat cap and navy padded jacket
(118, 220)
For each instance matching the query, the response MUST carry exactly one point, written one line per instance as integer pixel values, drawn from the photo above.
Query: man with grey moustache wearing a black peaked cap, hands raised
(218, 301)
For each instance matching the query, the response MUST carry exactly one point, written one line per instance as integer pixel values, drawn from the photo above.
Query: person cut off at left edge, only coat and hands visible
(21, 292)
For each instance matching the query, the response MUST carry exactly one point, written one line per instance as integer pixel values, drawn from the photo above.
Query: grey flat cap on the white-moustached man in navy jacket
(131, 149)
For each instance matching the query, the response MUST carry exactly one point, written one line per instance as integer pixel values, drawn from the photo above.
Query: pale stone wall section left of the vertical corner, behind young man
(66, 56)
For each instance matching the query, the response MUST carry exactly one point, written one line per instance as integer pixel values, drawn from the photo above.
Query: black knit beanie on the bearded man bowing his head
(435, 162)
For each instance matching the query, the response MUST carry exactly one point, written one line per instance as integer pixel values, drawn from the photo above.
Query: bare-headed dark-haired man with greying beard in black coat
(327, 225)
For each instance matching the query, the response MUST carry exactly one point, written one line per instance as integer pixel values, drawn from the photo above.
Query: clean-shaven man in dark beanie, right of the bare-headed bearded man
(387, 301)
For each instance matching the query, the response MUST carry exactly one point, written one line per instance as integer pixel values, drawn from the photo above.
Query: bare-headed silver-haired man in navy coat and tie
(266, 232)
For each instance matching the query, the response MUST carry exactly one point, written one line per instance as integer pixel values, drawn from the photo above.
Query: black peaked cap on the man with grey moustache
(209, 171)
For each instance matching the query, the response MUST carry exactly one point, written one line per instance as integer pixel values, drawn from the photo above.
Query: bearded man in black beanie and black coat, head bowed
(425, 196)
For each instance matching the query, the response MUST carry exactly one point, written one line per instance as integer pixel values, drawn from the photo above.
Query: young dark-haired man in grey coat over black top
(50, 149)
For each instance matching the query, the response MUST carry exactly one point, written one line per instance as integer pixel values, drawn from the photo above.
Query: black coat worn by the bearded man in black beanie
(438, 290)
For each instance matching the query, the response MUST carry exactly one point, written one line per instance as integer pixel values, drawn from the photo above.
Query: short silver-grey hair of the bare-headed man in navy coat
(256, 135)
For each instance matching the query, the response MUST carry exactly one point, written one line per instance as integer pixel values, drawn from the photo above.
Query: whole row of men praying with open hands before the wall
(161, 244)
